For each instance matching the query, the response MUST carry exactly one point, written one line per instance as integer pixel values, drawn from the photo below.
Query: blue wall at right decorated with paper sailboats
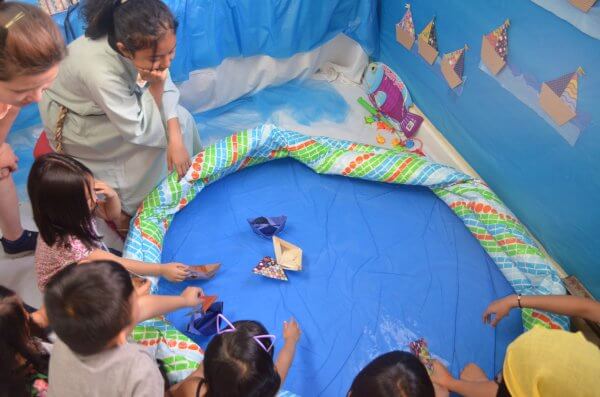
(553, 187)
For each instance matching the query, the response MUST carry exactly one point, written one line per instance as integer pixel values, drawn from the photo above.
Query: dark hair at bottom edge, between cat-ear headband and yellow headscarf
(393, 374)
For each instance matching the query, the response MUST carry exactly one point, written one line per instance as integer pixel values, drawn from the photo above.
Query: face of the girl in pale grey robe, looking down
(157, 57)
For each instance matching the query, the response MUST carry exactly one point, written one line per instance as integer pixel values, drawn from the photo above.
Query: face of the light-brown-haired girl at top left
(23, 90)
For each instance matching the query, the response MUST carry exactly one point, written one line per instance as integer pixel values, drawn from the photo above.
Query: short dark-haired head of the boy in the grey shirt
(91, 307)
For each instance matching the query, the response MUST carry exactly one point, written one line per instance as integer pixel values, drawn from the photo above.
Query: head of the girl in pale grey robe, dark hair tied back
(142, 30)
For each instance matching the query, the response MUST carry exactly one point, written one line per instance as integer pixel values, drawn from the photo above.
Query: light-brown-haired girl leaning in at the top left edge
(31, 48)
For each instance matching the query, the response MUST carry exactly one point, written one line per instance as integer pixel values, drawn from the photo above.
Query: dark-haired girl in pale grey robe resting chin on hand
(114, 106)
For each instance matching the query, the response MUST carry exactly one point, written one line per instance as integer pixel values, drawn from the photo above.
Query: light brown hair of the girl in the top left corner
(32, 44)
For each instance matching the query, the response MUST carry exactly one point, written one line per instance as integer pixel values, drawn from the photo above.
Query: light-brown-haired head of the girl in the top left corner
(31, 48)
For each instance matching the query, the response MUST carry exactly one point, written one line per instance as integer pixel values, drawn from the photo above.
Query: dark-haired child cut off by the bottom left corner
(23, 356)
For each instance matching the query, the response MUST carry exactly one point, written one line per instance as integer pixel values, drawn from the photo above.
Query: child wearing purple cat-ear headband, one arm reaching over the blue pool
(238, 362)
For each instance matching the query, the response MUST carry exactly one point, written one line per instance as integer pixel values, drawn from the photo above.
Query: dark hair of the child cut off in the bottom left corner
(16, 339)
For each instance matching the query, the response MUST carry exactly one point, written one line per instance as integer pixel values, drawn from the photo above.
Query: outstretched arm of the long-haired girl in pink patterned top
(170, 271)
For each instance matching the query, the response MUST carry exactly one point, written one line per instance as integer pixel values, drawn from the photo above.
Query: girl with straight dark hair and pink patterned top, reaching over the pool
(64, 198)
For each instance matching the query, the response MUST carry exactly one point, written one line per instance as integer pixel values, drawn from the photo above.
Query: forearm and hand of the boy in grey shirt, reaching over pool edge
(156, 305)
